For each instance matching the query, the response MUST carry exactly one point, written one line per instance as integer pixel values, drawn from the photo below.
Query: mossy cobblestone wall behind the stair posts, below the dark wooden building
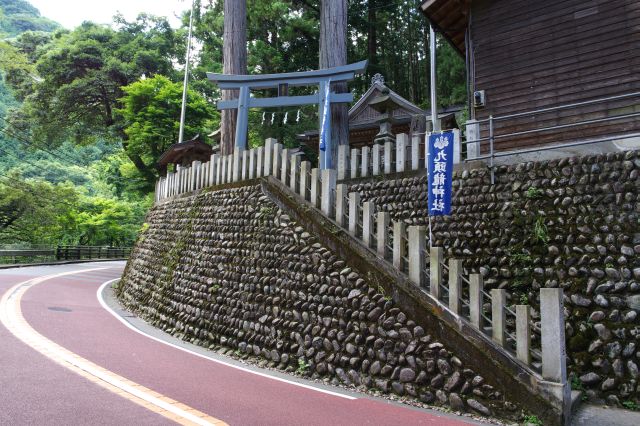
(573, 223)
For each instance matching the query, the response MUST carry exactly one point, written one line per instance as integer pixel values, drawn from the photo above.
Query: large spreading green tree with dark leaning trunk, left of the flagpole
(80, 79)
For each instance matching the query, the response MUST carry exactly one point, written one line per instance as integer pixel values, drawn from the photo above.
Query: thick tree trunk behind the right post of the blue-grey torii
(333, 53)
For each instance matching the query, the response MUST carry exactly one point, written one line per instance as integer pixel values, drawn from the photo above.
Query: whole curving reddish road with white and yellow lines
(73, 360)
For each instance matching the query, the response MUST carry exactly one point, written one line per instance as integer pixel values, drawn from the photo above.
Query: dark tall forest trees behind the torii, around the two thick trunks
(283, 36)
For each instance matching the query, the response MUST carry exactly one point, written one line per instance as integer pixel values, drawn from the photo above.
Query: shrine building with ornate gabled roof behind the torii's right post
(363, 119)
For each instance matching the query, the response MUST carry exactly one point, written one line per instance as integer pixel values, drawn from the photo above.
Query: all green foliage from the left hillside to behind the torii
(89, 111)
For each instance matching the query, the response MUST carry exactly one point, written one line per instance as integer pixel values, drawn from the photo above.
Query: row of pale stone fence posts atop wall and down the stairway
(539, 345)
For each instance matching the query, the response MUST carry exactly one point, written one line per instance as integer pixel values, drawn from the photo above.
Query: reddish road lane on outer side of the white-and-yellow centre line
(37, 391)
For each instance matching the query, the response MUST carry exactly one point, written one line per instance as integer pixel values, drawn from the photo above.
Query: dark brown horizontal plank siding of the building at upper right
(537, 54)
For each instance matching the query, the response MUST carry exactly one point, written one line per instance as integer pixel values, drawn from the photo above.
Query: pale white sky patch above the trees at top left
(71, 13)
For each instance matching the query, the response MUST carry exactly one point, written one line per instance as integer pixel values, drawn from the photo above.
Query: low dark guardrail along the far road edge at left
(64, 253)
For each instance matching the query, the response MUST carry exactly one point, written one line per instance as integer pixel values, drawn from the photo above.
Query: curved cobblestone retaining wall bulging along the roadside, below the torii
(227, 269)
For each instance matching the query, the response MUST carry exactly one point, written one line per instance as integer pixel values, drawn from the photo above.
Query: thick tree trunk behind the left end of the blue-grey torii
(234, 62)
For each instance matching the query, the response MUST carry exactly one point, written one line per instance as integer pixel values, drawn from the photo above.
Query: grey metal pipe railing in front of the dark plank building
(492, 137)
